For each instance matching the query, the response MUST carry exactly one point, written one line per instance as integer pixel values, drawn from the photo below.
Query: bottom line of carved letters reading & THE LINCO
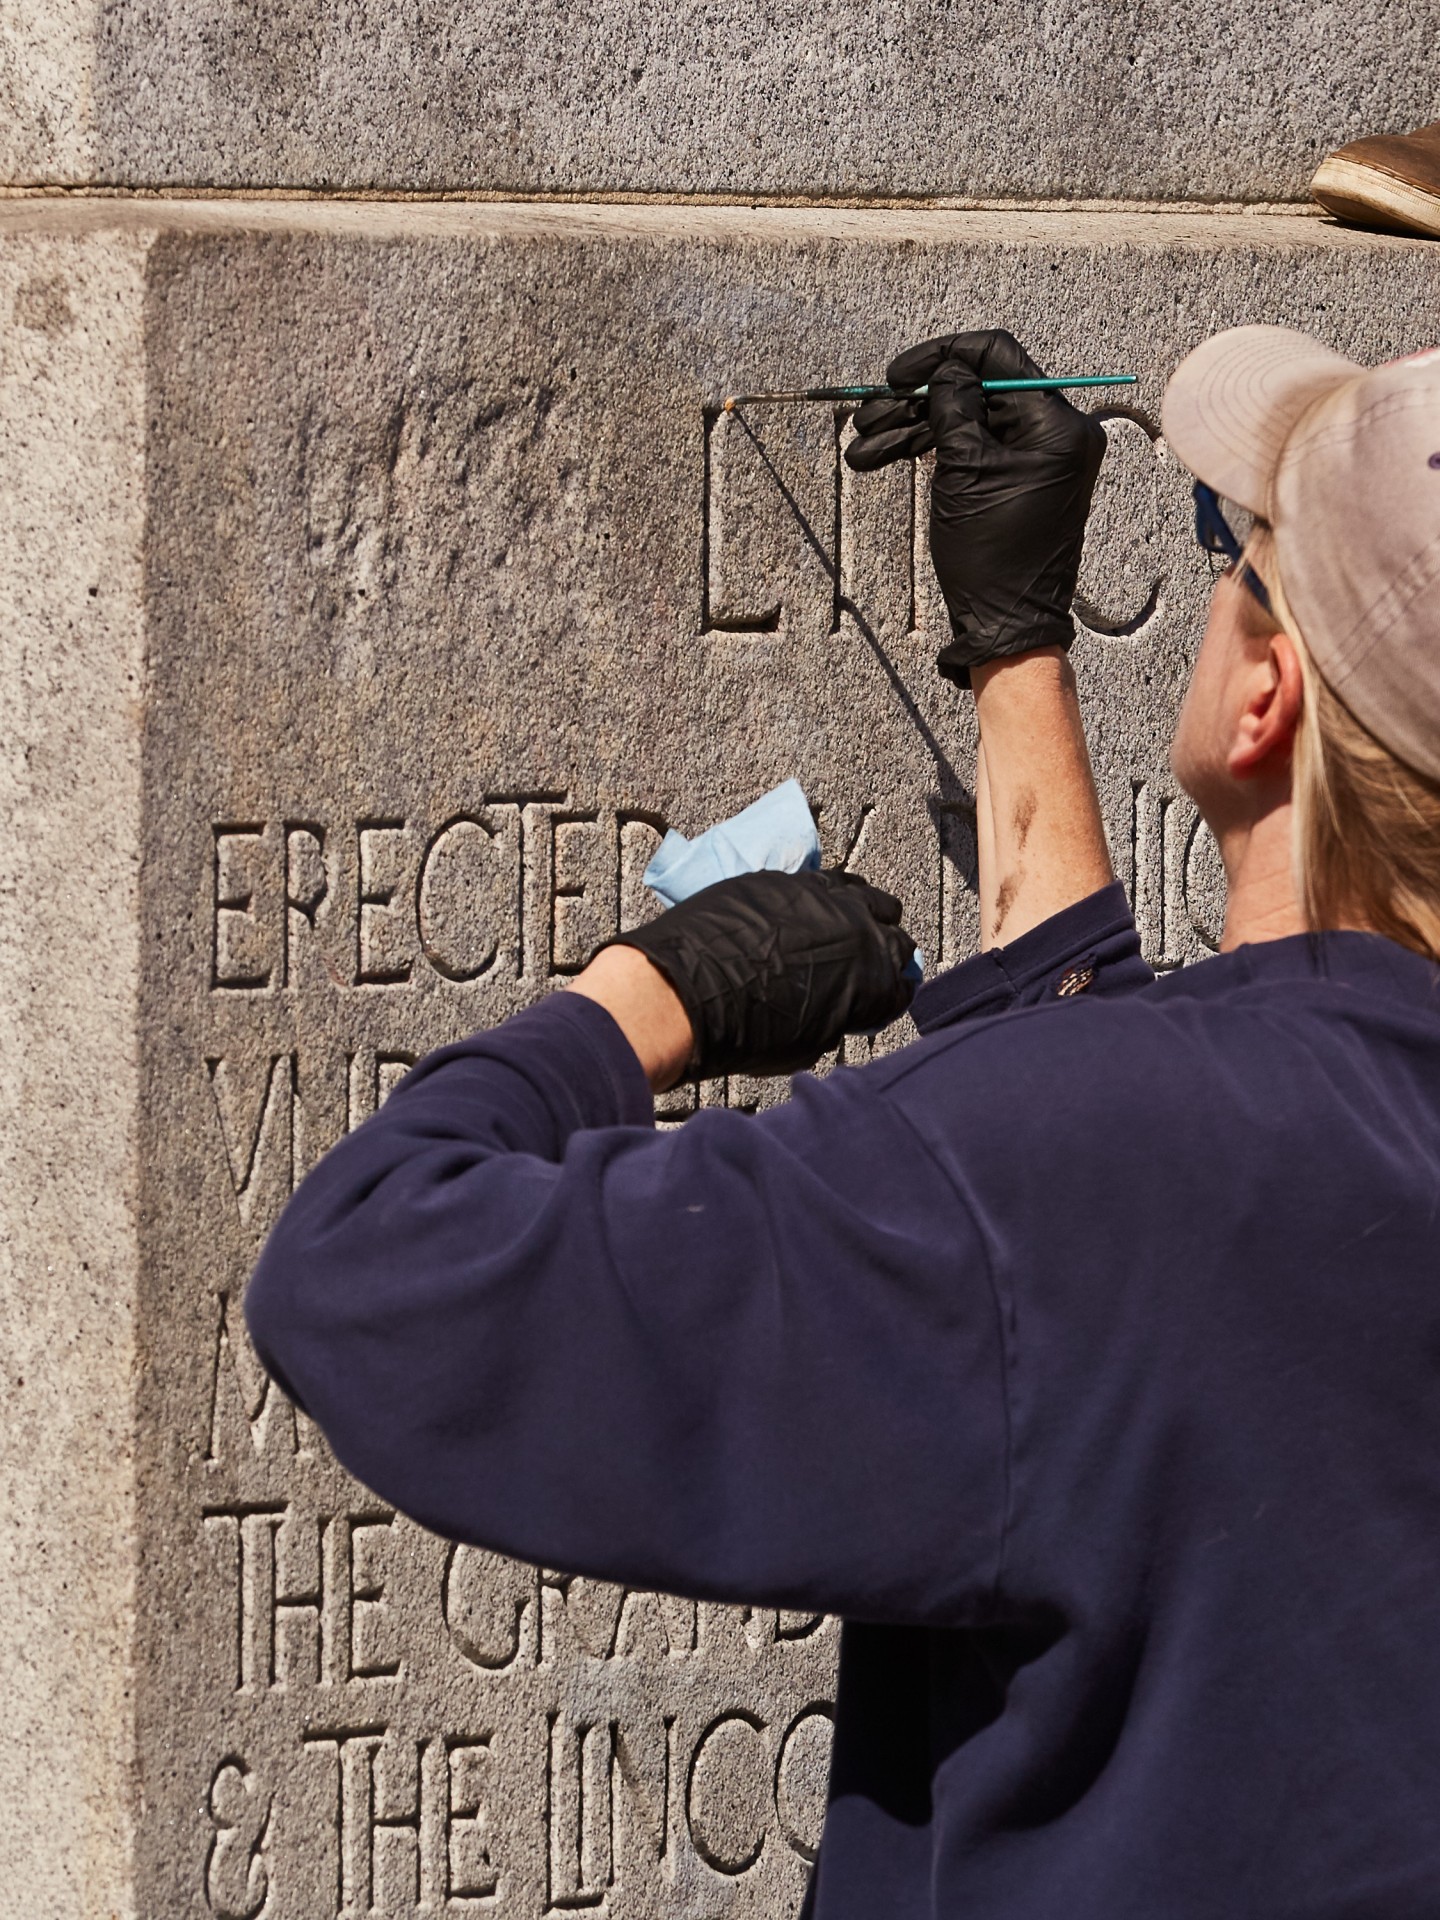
(416, 1825)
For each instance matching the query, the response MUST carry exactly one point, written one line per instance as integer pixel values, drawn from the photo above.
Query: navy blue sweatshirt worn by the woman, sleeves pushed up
(1084, 1356)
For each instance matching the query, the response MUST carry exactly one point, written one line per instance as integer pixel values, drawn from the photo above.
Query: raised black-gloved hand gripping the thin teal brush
(1015, 475)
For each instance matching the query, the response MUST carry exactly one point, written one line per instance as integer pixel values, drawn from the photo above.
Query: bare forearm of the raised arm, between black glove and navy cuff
(1040, 832)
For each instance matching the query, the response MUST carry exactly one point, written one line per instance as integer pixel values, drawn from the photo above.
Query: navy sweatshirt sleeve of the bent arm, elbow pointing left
(752, 1360)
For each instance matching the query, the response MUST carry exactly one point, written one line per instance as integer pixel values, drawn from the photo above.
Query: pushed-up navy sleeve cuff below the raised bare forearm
(1090, 949)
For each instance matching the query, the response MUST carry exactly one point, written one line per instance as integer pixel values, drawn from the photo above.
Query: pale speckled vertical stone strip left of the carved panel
(72, 517)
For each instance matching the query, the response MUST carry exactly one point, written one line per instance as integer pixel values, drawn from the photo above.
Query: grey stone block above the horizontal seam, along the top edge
(1134, 99)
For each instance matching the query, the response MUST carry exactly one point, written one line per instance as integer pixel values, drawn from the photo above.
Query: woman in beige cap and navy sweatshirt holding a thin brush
(1084, 1355)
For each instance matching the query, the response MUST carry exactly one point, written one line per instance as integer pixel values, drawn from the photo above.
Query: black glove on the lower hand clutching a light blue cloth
(773, 969)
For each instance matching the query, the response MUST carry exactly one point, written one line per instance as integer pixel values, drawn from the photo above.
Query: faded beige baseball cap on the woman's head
(1345, 464)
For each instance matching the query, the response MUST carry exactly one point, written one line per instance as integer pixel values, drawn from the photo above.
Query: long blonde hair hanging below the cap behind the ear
(1366, 825)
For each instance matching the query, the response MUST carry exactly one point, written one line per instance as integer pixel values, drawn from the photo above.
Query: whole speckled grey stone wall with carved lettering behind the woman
(379, 581)
